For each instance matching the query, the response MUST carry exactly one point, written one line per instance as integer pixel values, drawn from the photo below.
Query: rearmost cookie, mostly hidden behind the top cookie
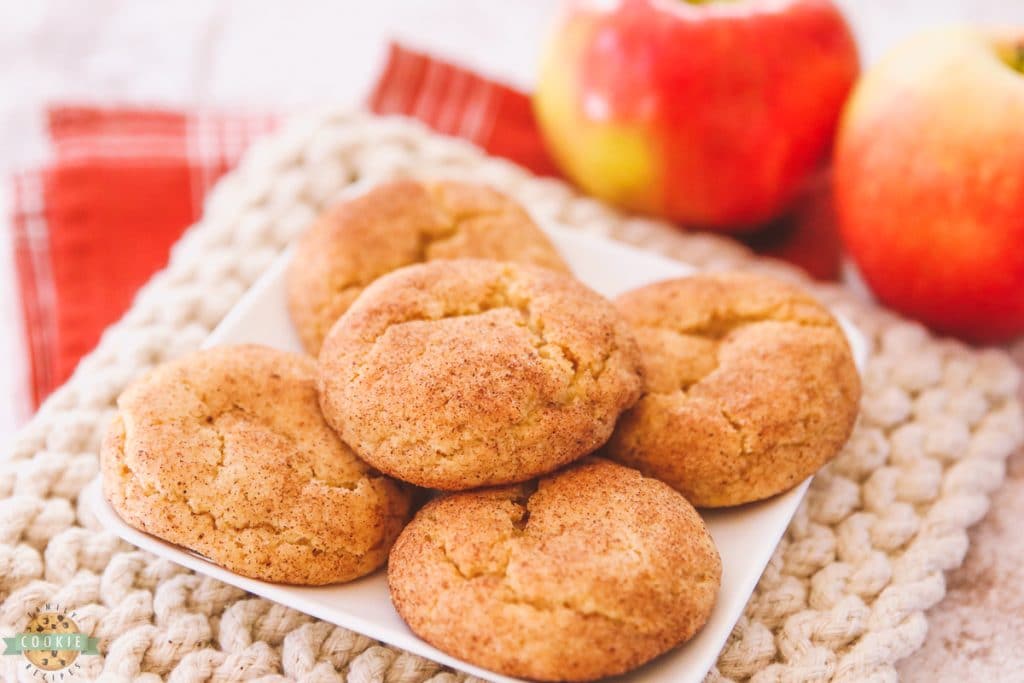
(397, 225)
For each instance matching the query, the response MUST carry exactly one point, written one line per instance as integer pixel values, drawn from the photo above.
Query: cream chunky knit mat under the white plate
(843, 599)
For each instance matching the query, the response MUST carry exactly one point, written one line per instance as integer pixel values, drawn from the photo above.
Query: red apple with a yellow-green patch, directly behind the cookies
(711, 114)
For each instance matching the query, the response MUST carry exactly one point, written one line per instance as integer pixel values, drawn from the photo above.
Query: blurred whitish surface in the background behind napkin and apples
(281, 56)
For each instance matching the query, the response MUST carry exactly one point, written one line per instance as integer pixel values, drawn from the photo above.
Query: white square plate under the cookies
(746, 536)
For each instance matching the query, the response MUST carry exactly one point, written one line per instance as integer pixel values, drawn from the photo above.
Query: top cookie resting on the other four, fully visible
(467, 373)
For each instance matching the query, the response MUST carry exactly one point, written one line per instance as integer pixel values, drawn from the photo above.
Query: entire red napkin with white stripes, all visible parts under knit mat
(93, 228)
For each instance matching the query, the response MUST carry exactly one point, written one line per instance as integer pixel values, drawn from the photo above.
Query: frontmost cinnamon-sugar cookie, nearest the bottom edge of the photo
(591, 574)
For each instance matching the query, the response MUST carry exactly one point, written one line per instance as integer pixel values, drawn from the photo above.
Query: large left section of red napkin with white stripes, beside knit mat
(94, 227)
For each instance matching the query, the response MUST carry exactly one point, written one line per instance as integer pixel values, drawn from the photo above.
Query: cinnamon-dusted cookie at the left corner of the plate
(226, 452)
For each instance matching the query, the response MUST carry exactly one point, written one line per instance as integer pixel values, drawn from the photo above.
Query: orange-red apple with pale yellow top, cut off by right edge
(929, 182)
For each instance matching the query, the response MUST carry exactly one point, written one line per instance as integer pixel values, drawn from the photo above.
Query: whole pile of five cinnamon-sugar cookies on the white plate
(567, 439)
